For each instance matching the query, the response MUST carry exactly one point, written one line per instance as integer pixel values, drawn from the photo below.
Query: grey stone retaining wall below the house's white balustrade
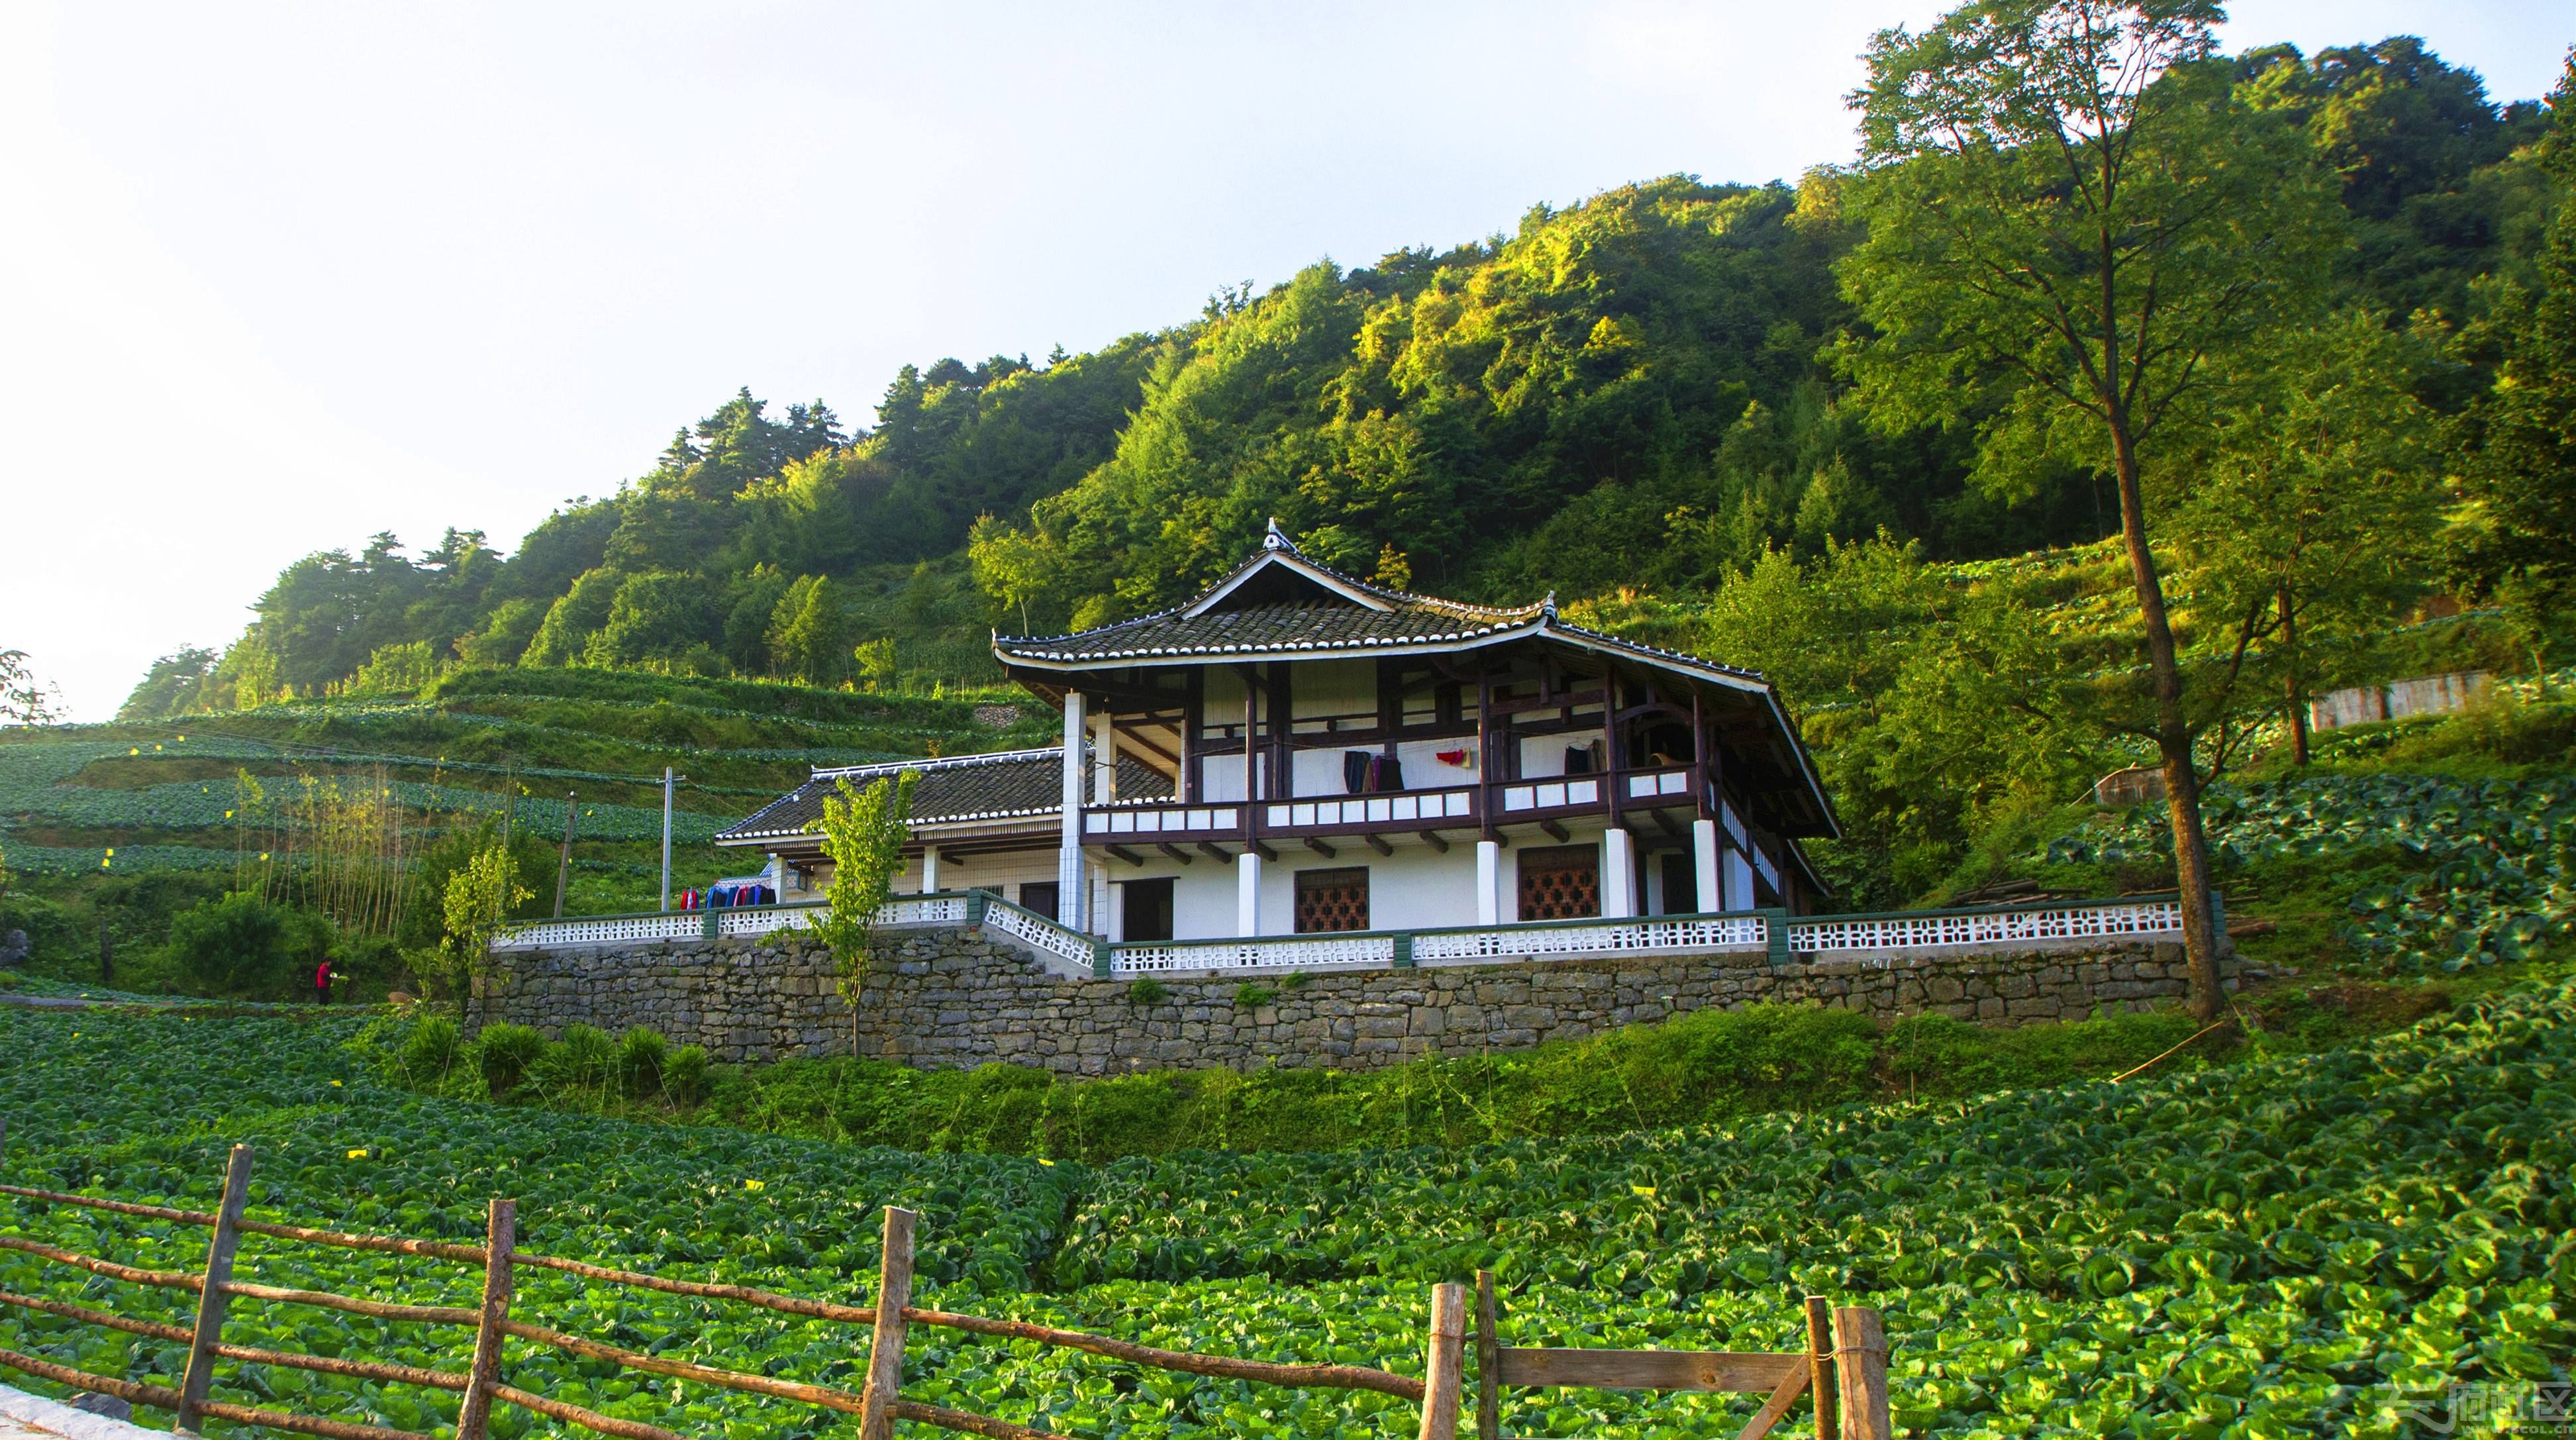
(954, 998)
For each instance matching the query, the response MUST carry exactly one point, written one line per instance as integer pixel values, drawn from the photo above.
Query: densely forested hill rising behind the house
(1629, 393)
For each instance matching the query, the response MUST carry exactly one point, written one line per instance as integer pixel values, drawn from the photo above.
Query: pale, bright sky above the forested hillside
(277, 277)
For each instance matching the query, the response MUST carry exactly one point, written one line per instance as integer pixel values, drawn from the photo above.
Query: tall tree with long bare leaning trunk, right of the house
(2070, 223)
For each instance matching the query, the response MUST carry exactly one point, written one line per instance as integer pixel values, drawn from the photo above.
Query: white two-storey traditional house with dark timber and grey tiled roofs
(1300, 751)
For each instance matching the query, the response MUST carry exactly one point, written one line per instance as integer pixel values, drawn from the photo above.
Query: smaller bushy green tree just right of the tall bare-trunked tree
(2315, 511)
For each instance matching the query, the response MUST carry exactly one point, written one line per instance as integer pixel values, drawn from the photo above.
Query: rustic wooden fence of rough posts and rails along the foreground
(1851, 1364)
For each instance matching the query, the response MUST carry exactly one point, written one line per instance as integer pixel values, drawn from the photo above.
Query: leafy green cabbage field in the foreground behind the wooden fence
(2294, 1246)
